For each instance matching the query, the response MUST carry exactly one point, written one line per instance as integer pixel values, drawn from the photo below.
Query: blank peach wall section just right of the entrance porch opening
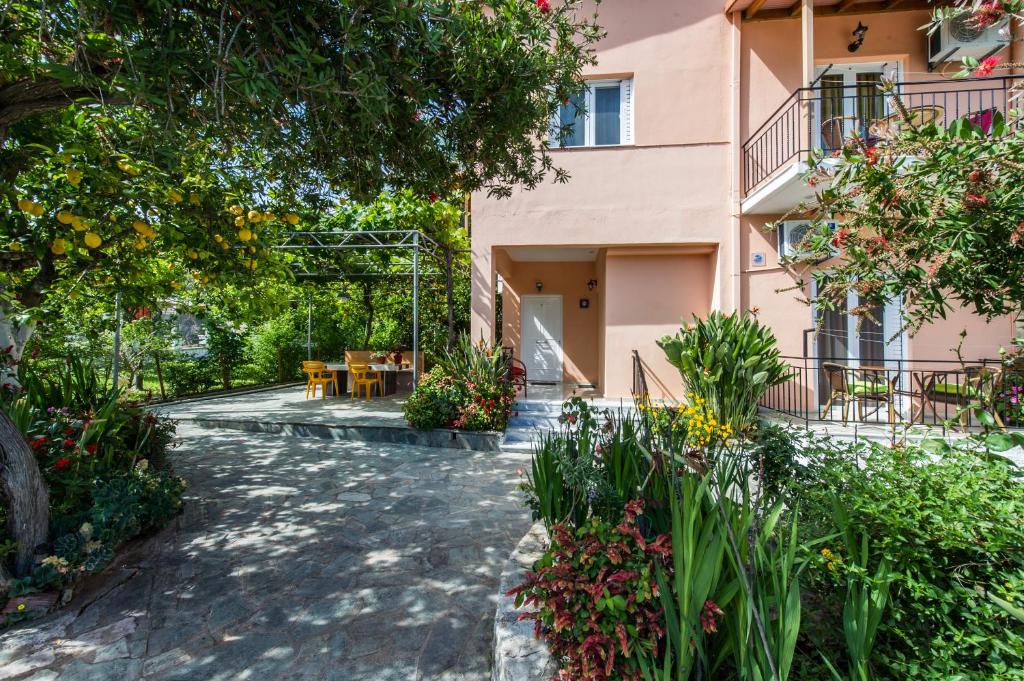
(649, 296)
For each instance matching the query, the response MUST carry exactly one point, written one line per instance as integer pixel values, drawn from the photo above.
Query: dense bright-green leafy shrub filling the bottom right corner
(949, 528)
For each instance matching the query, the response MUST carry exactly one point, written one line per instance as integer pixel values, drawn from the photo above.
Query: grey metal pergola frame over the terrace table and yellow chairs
(411, 243)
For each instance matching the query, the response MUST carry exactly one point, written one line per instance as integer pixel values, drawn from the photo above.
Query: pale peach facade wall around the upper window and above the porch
(672, 187)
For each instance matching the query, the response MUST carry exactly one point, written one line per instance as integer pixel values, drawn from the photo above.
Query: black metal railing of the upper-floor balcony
(822, 117)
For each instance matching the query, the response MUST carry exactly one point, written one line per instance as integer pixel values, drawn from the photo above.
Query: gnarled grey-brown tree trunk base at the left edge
(25, 494)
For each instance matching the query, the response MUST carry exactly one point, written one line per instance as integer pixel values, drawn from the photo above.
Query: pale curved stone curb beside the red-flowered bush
(519, 656)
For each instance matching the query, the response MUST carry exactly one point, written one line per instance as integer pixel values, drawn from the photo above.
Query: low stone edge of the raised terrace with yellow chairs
(455, 440)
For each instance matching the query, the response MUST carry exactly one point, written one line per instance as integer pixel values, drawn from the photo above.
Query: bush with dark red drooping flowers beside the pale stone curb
(598, 599)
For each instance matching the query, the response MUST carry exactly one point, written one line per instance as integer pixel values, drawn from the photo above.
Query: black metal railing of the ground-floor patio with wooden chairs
(899, 392)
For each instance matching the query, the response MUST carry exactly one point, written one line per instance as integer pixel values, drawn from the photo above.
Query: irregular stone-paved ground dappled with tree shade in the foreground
(298, 559)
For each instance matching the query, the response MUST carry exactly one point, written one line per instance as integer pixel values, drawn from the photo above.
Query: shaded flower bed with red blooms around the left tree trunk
(104, 462)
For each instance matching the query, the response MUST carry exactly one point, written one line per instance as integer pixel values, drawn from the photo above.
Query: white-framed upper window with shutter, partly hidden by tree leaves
(601, 116)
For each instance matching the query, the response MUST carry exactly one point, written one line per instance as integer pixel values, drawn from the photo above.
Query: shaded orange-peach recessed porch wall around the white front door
(580, 326)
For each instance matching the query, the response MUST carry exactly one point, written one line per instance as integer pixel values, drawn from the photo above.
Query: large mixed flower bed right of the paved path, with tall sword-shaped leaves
(694, 542)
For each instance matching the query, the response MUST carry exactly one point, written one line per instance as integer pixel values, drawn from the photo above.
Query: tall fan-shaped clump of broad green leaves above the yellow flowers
(731, 361)
